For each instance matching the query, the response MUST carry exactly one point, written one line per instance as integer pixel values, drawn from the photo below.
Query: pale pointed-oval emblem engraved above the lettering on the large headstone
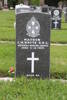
(33, 27)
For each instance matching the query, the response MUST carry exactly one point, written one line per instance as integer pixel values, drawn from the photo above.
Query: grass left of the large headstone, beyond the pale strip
(7, 31)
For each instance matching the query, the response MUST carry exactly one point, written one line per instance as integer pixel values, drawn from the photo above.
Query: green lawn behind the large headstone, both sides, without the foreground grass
(58, 54)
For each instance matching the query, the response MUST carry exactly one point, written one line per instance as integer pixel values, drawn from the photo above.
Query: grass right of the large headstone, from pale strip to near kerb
(58, 61)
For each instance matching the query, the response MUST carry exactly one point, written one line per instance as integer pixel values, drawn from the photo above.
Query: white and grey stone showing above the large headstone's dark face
(21, 8)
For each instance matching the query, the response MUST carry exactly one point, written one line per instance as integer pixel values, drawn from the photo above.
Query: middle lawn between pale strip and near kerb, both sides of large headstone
(58, 65)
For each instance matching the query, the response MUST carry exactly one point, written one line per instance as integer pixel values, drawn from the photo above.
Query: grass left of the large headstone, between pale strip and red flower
(7, 58)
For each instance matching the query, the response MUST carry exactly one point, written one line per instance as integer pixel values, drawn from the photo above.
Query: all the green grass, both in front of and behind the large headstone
(29, 88)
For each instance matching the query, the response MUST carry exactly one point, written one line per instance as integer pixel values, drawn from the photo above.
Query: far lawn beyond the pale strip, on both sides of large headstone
(7, 31)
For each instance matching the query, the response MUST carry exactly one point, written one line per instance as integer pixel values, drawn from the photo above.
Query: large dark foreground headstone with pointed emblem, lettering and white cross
(32, 43)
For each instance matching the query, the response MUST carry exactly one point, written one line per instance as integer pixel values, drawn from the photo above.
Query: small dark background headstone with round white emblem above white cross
(56, 18)
